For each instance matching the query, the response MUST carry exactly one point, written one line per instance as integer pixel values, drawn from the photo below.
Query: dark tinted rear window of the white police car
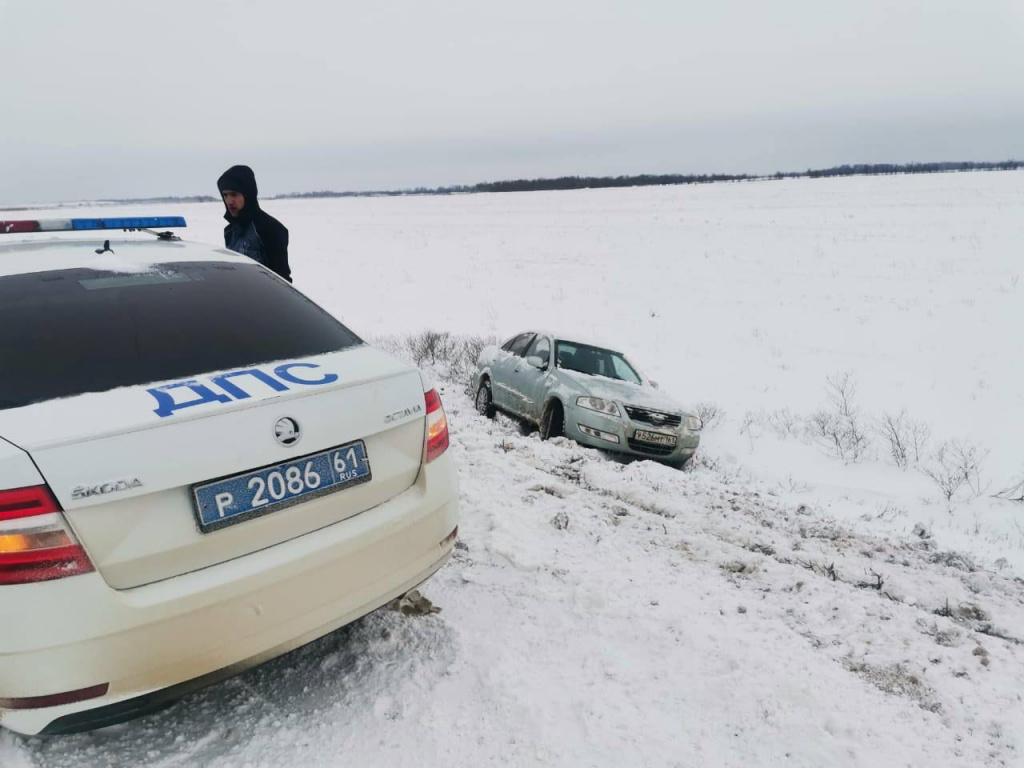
(75, 331)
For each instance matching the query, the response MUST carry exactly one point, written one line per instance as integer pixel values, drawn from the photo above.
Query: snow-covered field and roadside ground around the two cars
(795, 600)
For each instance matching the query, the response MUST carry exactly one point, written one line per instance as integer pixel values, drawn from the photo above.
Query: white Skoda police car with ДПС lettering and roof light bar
(200, 471)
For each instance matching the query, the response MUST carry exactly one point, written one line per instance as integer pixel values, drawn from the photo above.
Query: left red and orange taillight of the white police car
(36, 544)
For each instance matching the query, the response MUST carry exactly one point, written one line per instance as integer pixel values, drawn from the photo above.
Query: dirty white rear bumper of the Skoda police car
(155, 644)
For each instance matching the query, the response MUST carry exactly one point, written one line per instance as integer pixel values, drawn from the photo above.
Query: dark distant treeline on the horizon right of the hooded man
(647, 180)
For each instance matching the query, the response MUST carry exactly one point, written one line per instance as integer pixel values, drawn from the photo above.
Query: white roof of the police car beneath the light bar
(126, 255)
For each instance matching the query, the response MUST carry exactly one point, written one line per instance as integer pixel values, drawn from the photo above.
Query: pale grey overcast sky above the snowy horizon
(118, 100)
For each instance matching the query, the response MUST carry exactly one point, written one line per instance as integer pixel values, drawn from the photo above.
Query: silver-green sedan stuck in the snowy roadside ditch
(589, 394)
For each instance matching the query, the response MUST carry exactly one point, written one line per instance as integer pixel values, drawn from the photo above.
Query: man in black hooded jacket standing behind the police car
(250, 230)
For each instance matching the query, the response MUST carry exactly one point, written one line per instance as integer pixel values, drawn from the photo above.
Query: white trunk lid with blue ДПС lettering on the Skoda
(123, 463)
